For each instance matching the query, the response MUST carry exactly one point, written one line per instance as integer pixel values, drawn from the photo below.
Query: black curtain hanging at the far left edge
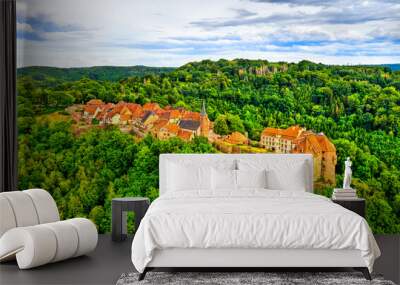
(8, 126)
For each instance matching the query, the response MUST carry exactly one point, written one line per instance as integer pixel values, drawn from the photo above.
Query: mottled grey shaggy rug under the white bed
(243, 278)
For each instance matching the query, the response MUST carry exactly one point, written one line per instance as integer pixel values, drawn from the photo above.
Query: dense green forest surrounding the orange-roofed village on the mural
(357, 107)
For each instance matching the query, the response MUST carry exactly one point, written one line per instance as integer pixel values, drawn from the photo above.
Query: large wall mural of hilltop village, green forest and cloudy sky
(102, 94)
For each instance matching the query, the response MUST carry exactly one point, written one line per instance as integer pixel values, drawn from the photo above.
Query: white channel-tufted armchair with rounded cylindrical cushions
(31, 230)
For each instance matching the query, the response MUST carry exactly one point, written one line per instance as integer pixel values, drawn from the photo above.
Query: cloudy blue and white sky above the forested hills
(79, 33)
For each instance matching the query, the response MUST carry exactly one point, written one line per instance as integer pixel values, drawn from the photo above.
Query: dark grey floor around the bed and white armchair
(110, 260)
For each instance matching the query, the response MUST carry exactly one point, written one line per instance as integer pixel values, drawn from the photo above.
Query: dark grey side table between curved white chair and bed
(120, 206)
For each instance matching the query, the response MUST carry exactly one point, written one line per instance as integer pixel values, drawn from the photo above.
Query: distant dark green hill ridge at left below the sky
(111, 73)
